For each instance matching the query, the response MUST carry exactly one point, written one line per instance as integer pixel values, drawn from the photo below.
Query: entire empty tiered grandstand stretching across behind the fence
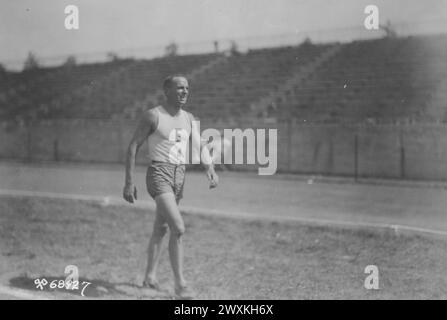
(374, 81)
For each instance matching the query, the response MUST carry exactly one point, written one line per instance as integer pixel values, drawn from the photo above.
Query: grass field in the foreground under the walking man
(225, 258)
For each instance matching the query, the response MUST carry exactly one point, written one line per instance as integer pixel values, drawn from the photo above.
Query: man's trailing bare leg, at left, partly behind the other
(154, 250)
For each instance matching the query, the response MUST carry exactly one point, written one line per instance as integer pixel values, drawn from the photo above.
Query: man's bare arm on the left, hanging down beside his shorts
(145, 127)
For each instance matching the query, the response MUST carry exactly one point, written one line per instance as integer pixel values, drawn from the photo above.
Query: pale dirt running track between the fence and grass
(246, 193)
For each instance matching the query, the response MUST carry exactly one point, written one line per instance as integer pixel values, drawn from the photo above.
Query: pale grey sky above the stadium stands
(135, 26)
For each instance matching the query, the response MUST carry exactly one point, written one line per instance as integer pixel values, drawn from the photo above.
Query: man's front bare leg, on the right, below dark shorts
(167, 205)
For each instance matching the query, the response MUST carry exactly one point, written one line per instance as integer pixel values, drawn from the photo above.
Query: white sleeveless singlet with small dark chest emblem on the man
(168, 143)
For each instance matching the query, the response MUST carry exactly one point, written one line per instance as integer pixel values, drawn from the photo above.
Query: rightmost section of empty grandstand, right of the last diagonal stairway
(385, 80)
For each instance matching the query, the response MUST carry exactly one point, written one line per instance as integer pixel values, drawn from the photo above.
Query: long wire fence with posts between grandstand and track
(380, 151)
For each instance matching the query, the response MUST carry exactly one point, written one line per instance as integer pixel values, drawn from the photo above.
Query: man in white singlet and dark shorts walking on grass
(167, 129)
